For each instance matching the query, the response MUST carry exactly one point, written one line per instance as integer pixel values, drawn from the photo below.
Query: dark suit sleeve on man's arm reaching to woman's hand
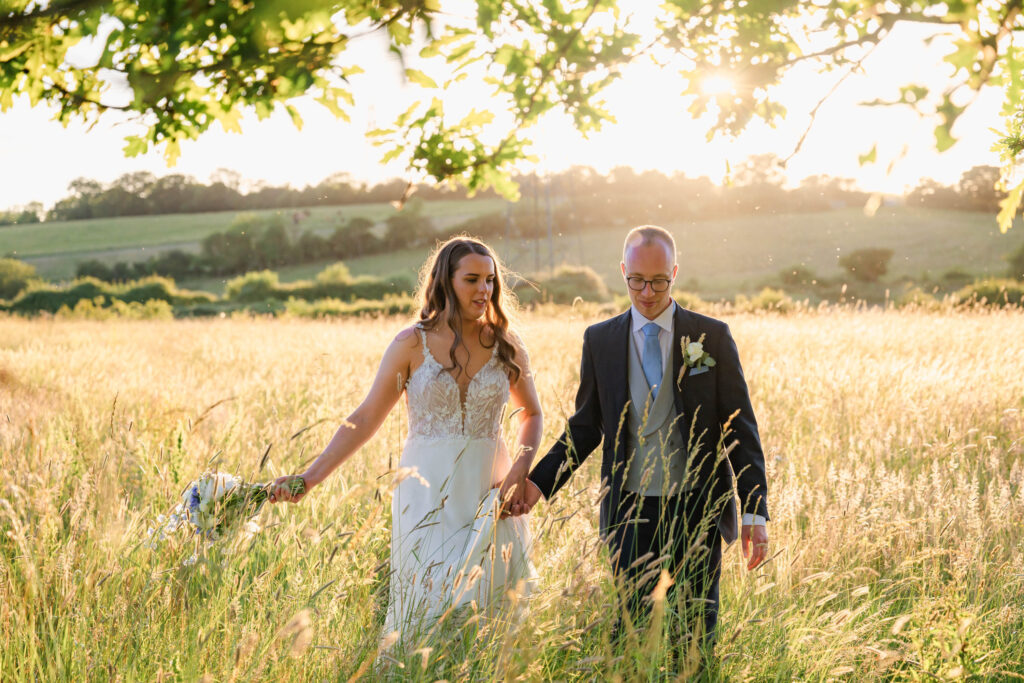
(582, 436)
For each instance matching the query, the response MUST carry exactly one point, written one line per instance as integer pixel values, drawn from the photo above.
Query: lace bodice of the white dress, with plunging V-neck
(436, 407)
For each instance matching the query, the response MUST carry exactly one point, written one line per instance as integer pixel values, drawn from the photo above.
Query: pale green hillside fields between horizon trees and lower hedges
(718, 259)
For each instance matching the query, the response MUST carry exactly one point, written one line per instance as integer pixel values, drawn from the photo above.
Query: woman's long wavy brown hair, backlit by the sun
(439, 301)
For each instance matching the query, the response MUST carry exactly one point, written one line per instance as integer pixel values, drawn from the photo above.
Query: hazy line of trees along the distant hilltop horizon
(757, 186)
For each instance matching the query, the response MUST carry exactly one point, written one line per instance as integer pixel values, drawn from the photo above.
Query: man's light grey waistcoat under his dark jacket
(655, 448)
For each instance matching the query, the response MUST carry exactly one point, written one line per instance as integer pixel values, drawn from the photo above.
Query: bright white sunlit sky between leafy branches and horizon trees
(39, 158)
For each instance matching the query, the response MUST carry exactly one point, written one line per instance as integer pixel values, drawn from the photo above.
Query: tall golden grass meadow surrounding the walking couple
(897, 472)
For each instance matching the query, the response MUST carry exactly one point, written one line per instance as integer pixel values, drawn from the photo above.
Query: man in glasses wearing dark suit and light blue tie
(679, 439)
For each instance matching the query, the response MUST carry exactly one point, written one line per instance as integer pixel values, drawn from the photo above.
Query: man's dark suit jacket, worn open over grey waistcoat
(716, 420)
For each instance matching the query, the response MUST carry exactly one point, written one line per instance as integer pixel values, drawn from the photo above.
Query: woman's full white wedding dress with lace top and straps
(449, 547)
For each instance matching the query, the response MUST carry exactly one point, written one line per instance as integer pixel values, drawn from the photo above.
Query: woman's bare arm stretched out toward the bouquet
(363, 423)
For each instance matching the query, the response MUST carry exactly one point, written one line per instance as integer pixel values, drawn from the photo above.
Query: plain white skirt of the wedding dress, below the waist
(449, 547)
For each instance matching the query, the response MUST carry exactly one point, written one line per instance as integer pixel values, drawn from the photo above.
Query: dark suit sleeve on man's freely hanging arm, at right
(747, 457)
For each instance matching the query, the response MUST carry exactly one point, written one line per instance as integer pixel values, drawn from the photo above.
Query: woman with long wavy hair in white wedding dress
(453, 542)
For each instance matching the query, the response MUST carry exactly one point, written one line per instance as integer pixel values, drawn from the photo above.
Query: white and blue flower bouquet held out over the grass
(215, 504)
